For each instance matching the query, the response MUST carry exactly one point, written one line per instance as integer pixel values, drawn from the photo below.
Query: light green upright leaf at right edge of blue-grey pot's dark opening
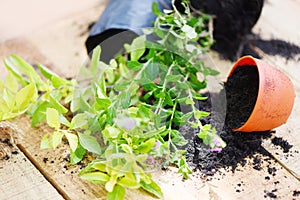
(137, 48)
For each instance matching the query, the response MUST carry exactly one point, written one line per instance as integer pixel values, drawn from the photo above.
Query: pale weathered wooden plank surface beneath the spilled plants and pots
(62, 47)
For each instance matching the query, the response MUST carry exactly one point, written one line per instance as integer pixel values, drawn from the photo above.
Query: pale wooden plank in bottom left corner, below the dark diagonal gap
(19, 177)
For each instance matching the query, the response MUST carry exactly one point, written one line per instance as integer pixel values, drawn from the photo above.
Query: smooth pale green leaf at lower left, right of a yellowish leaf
(90, 143)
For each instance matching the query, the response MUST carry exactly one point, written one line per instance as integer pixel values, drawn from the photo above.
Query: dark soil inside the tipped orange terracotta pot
(241, 94)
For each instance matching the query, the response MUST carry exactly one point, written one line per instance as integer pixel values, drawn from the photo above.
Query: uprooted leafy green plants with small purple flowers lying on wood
(127, 112)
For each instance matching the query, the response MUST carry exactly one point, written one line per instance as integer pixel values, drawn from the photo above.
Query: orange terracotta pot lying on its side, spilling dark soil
(275, 97)
